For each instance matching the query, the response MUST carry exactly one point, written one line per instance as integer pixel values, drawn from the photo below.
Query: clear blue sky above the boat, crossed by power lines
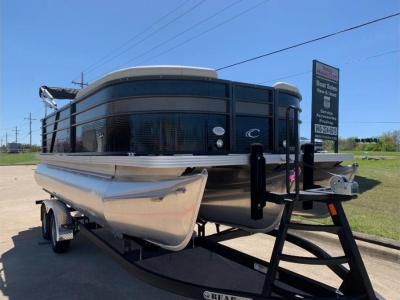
(52, 42)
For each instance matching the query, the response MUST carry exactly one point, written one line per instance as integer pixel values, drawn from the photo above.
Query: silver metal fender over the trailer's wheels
(61, 216)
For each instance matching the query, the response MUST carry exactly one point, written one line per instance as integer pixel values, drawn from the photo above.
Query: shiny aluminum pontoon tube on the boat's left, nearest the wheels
(162, 210)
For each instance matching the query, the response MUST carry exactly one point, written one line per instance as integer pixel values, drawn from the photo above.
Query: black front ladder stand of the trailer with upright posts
(355, 281)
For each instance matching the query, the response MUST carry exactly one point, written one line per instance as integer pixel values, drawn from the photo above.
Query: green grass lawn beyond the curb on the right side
(376, 211)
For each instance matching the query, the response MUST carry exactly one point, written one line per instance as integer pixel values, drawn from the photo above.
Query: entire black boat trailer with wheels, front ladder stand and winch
(278, 283)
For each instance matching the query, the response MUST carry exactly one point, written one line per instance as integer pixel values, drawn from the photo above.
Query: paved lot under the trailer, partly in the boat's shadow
(31, 270)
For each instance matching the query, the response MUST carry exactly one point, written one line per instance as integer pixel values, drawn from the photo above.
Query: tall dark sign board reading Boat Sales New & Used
(325, 102)
